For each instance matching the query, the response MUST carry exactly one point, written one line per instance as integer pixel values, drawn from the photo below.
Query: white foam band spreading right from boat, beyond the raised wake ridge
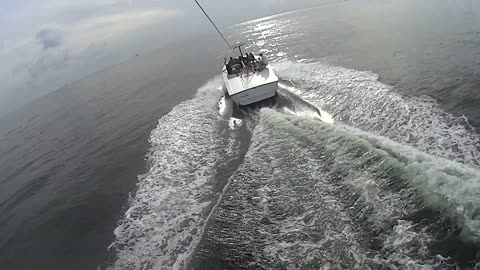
(357, 98)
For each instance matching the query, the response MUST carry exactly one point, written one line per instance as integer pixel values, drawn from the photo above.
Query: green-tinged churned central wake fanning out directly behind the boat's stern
(311, 194)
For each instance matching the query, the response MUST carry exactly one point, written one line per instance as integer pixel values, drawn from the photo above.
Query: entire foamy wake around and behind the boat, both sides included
(393, 182)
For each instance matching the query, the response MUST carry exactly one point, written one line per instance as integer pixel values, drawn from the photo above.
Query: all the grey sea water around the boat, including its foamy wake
(367, 159)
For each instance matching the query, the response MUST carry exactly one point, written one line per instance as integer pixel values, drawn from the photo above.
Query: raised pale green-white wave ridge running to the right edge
(444, 184)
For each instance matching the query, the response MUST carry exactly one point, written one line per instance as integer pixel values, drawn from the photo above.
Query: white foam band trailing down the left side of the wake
(167, 215)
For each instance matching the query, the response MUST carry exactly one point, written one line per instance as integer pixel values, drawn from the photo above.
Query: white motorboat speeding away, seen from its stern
(250, 84)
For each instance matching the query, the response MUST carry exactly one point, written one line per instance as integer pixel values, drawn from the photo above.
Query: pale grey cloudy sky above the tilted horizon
(46, 44)
